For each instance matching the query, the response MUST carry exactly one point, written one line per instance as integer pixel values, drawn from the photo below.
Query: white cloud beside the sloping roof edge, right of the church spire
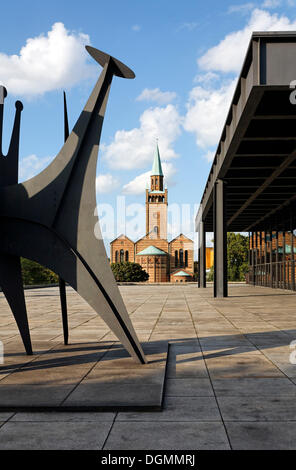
(206, 112)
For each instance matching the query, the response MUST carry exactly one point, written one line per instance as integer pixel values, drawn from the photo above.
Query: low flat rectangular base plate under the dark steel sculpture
(88, 376)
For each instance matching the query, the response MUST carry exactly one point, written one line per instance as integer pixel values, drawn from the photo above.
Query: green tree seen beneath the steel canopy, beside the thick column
(237, 257)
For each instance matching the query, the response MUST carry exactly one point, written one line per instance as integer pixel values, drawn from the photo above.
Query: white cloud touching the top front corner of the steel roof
(228, 55)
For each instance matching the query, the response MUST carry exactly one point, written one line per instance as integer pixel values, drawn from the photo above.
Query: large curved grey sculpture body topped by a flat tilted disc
(50, 217)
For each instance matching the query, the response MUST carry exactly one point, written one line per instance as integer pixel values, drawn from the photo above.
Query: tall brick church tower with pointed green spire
(156, 202)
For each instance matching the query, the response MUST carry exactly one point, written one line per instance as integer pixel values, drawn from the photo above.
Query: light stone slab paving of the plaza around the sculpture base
(230, 383)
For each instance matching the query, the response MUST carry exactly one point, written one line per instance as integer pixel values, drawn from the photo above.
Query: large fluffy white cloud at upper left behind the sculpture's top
(46, 62)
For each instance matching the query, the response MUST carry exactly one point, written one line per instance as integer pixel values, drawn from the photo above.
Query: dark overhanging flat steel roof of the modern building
(256, 155)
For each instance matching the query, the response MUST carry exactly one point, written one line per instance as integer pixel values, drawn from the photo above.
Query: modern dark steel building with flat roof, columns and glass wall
(252, 182)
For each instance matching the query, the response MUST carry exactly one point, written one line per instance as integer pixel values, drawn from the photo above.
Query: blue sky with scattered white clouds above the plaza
(186, 55)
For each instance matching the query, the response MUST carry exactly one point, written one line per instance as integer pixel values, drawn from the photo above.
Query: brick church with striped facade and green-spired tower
(164, 261)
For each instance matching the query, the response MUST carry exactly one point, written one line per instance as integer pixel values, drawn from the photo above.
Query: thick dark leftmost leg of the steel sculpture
(12, 286)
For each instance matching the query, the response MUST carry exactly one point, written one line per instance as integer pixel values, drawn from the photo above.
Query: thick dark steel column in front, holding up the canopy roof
(220, 240)
